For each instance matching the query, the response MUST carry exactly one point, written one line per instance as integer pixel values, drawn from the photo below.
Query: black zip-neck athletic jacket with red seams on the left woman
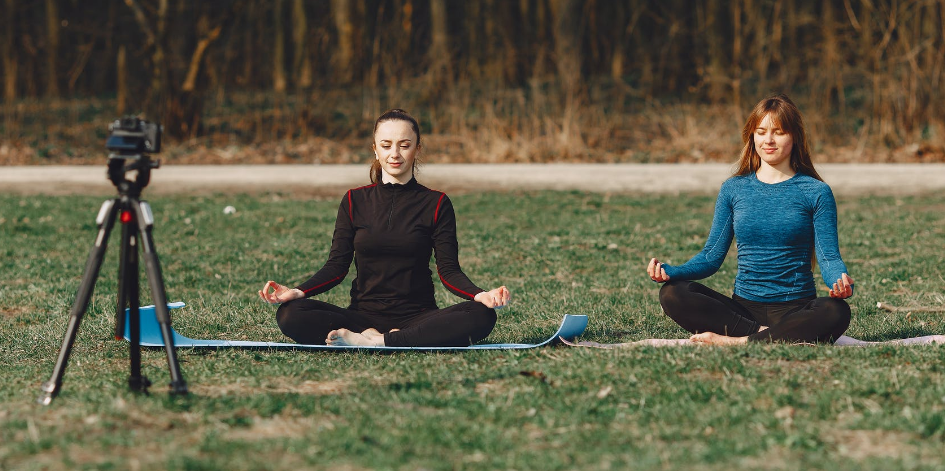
(390, 231)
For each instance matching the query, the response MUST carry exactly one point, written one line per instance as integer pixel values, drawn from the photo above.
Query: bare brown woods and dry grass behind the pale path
(491, 80)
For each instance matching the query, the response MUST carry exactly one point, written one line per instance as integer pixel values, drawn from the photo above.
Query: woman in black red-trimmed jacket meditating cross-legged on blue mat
(390, 229)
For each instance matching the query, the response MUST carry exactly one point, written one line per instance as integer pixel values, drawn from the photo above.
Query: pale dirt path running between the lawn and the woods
(332, 179)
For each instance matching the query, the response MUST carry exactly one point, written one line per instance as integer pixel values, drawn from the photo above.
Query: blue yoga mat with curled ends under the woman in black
(571, 327)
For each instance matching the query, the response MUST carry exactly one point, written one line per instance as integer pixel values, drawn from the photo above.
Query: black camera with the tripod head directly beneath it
(130, 142)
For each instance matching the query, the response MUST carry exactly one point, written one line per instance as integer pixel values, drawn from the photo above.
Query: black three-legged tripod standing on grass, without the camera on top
(137, 221)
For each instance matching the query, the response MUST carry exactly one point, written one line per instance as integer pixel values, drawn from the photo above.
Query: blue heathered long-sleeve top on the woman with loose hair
(775, 227)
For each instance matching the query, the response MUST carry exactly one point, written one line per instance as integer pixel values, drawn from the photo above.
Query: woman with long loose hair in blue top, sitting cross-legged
(781, 214)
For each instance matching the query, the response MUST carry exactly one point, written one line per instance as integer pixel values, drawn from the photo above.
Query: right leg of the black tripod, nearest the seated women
(152, 266)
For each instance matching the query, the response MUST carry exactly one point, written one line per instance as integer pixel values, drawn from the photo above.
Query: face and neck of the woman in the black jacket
(396, 146)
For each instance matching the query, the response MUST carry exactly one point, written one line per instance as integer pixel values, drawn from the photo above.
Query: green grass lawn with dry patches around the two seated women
(759, 406)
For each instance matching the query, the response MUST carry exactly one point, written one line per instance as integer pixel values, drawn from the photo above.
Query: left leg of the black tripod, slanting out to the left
(105, 221)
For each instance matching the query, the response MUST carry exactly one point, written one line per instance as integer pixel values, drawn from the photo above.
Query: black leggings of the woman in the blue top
(697, 308)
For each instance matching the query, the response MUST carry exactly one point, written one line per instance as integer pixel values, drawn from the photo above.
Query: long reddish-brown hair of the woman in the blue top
(785, 114)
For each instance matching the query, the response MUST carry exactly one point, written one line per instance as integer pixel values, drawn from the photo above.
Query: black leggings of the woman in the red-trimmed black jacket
(308, 321)
